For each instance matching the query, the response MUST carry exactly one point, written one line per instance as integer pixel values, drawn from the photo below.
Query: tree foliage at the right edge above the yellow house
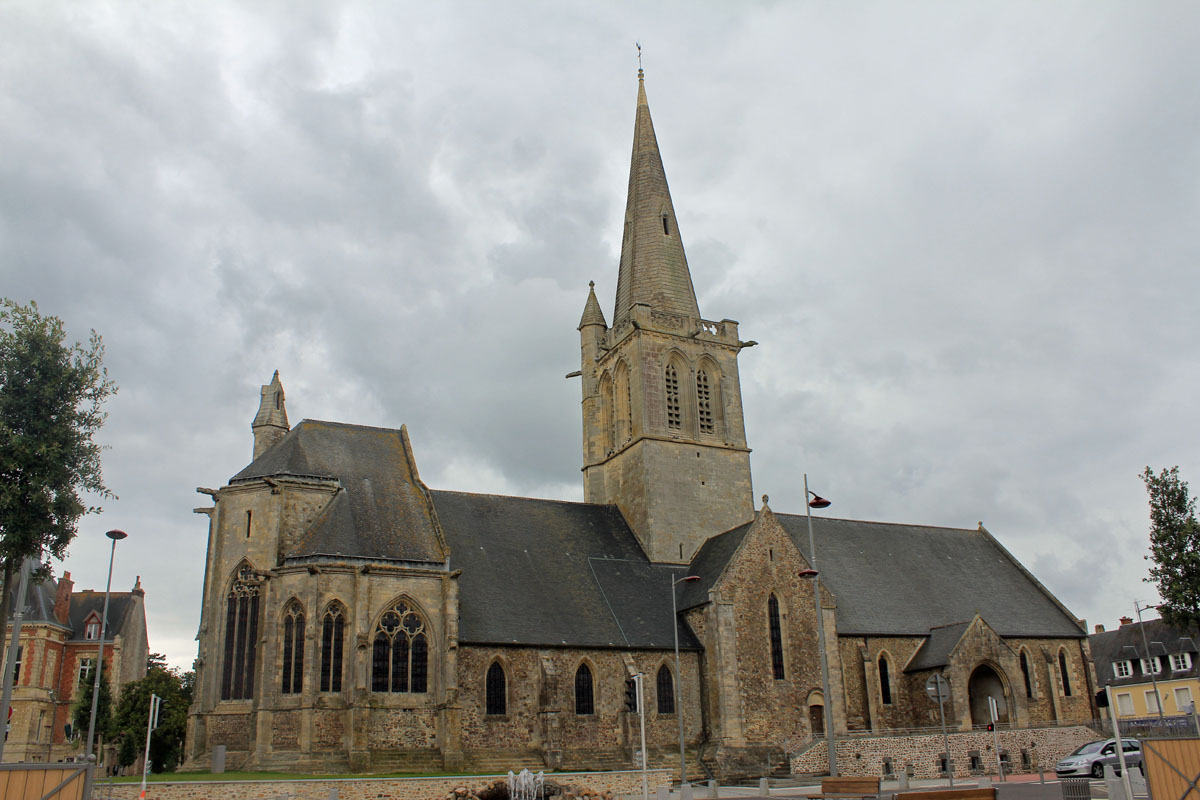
(1174, 548)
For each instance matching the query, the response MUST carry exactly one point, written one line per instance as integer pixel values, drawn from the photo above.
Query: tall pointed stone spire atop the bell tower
(653, 267)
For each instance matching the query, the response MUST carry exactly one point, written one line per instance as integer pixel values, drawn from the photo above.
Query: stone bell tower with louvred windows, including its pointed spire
(664, 437)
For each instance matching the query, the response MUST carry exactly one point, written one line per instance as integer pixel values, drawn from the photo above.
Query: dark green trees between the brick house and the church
(134, 712)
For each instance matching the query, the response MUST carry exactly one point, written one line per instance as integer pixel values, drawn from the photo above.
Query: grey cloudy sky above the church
(964, 234)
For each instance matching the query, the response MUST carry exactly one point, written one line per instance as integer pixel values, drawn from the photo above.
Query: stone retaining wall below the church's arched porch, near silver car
(865, 756)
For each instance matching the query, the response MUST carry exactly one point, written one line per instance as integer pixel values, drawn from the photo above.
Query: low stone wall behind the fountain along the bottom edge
(375, 789)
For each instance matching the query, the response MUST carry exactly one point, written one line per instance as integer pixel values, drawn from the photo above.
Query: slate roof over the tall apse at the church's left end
(383, 512)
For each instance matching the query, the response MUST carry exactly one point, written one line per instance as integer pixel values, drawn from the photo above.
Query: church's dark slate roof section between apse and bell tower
(549, 573)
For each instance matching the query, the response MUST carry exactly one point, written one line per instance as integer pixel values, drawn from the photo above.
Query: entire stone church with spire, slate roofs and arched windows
(356, 619)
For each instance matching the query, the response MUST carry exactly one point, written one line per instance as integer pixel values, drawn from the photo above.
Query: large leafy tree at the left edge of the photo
(51, 407)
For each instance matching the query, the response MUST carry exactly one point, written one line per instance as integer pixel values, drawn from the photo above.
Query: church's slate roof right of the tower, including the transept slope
(893, 580)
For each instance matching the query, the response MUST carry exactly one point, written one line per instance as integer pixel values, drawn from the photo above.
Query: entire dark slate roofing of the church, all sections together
(556, 574)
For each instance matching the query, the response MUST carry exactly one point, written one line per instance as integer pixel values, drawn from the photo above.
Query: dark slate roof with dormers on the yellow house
(1165, 641)
